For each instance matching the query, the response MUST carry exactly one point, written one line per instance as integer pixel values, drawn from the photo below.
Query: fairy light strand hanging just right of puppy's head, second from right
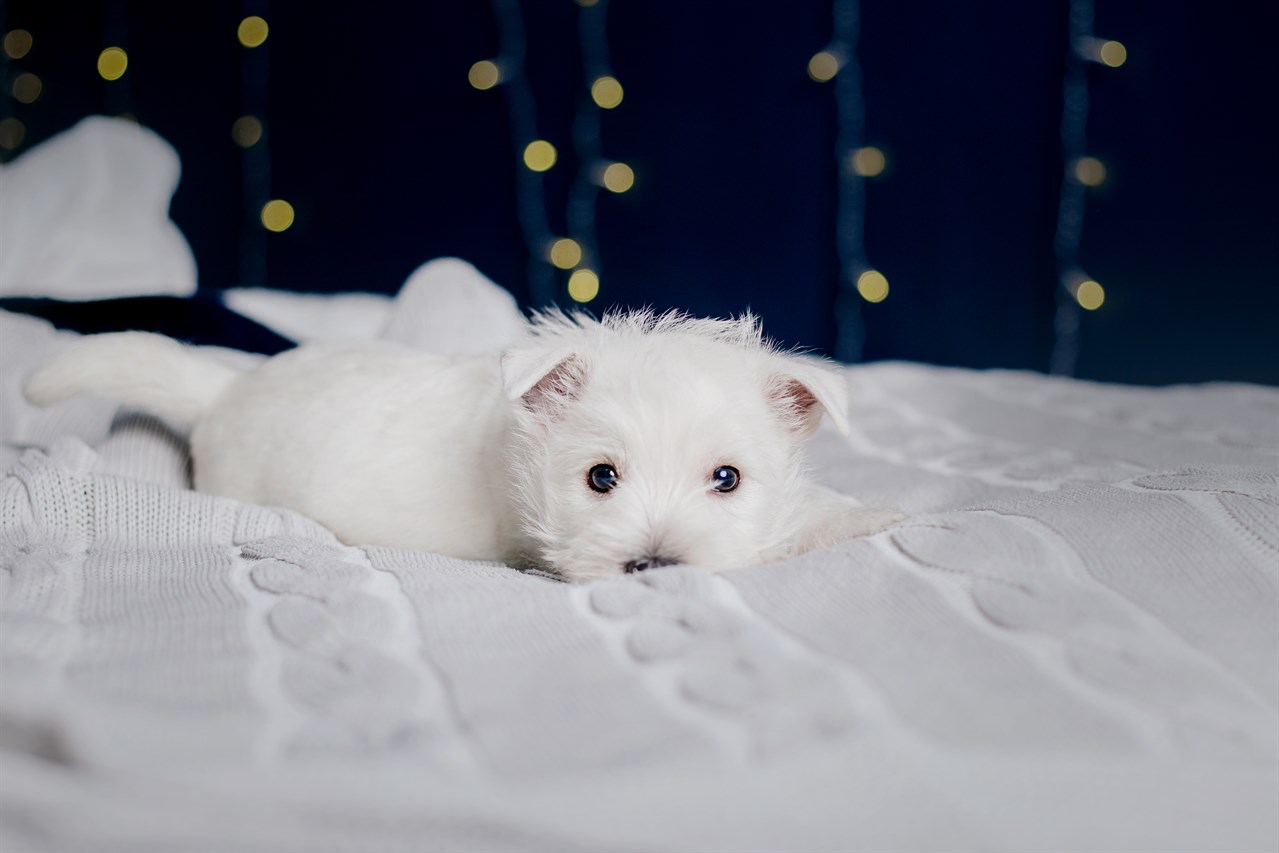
(851, 205)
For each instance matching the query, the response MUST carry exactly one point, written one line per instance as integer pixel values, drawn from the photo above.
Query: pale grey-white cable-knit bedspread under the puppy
(1072, 644)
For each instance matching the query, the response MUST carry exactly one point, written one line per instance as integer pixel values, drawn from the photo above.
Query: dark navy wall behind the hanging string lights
(391, 158)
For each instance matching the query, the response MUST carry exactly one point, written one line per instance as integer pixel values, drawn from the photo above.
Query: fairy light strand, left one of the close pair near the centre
(530, 195)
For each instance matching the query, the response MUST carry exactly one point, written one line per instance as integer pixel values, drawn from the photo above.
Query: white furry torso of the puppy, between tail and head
(381, 444)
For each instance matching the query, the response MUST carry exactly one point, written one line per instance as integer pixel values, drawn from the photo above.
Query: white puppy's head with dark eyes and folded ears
(647, 441)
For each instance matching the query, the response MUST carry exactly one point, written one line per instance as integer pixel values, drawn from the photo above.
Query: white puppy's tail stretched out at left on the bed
(140, 369)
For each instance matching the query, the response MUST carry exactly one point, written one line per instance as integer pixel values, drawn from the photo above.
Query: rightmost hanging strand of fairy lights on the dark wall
(1076, 290)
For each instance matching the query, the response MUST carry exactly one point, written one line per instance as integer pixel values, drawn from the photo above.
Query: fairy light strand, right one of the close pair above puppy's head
(585, 191)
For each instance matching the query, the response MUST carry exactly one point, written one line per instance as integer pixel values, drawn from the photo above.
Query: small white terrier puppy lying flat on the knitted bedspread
(590, 450)
